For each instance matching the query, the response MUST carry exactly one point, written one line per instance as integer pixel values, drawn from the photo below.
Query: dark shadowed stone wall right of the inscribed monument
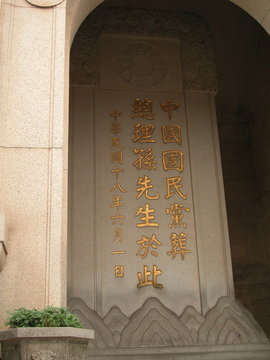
(242, 53)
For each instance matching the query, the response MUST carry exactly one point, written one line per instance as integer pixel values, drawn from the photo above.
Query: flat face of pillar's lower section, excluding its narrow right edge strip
(27, 222)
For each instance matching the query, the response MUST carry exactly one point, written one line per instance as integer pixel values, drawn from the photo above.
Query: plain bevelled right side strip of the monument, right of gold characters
(211, 224)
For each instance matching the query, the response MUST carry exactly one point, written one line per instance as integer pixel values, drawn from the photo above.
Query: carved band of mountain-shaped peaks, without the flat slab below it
(153, 324)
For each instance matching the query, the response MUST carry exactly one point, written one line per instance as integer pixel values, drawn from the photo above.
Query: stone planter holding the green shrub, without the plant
(45, 343)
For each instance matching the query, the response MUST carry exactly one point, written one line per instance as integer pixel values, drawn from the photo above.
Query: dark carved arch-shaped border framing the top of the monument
(199, 71)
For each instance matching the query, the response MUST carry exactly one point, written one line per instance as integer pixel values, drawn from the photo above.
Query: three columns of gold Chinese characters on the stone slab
(157, 148)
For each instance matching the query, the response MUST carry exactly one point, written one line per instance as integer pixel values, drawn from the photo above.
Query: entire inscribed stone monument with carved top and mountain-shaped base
(150, 267)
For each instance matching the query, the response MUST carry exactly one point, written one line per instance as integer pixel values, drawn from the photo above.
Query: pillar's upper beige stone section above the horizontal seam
(30, 111)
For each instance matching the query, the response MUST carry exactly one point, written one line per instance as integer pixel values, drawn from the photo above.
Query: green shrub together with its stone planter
(48, 334)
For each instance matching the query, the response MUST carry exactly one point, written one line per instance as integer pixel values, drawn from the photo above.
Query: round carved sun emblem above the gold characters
(141, 65)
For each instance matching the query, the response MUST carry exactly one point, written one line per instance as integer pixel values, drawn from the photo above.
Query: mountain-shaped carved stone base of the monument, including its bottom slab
(227, 331)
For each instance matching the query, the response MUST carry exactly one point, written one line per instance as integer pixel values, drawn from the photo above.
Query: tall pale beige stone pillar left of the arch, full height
(33, 154)
